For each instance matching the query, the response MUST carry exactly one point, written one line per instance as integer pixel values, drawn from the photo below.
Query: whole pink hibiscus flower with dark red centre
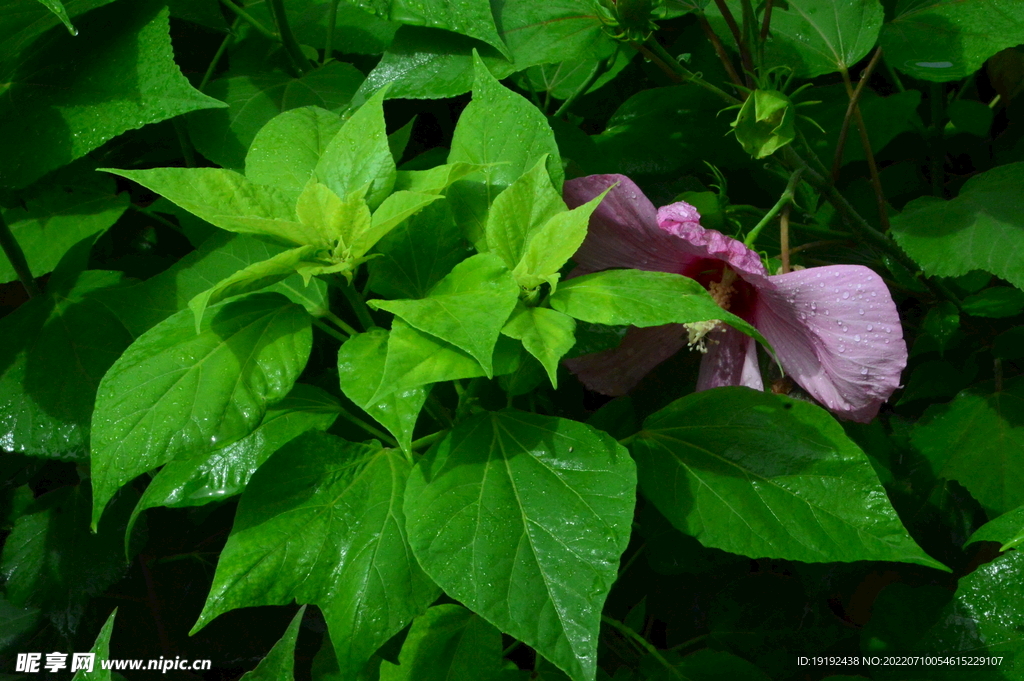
(835, 329)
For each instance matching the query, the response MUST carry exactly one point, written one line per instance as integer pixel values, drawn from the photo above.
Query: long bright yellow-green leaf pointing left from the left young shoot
(228, 200)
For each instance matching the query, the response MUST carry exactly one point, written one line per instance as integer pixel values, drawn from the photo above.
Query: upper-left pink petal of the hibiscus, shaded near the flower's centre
(624, 230)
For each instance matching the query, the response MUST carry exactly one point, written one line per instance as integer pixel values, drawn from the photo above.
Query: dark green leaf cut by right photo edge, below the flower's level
(977, 441)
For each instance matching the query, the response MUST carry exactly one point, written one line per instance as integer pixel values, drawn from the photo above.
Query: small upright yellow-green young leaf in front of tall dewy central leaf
(520, 211)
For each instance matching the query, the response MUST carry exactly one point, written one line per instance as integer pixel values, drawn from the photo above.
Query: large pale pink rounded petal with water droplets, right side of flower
(838, 335)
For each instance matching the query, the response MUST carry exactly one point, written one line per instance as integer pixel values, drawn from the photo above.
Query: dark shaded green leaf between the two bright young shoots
(418, 253)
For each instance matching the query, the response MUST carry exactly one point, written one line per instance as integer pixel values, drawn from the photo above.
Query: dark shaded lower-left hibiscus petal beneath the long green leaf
(618, 371)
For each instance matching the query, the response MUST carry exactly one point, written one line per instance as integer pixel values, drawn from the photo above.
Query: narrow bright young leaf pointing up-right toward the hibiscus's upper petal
(552, 245)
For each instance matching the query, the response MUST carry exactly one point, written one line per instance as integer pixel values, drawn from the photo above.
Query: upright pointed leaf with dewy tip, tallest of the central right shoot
(526, 138)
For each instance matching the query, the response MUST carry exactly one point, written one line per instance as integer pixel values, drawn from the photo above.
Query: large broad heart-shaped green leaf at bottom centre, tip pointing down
(488, 513)
